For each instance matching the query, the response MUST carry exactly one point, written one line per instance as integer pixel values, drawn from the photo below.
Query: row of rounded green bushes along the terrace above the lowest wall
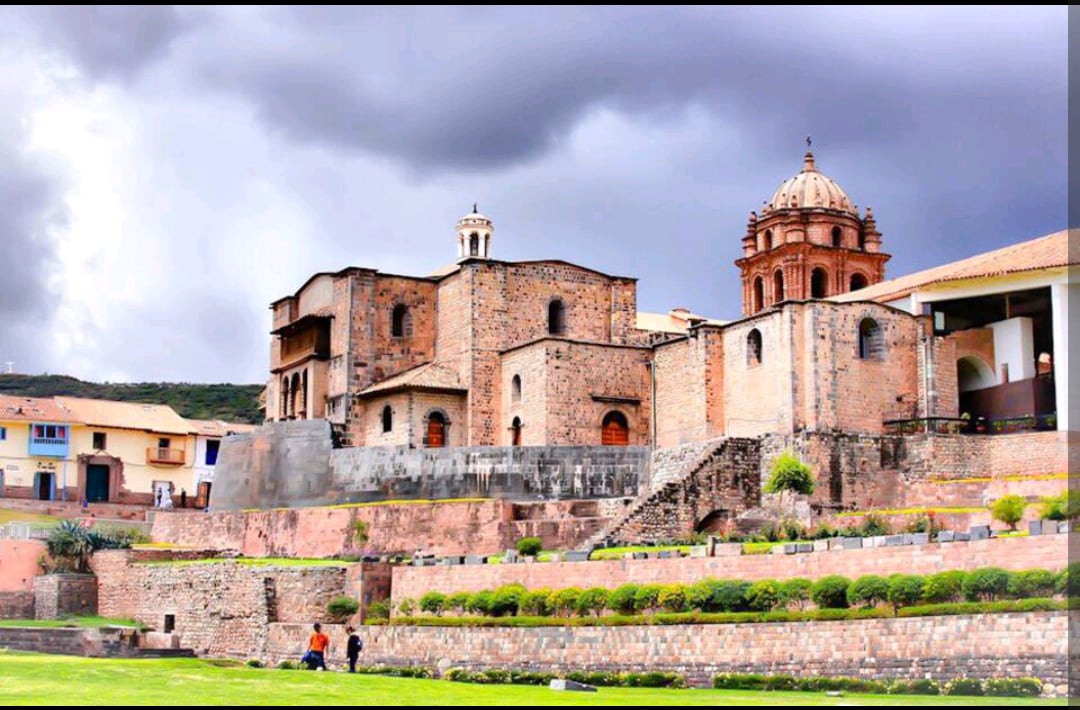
(735, 596)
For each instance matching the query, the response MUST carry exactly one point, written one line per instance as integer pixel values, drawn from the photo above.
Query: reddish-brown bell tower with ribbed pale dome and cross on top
(808, 243)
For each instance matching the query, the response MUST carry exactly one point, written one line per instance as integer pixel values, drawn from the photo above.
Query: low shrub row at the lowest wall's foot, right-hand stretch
(1017, 688)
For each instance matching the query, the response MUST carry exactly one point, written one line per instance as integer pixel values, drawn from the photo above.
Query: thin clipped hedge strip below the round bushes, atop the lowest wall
(734, 618)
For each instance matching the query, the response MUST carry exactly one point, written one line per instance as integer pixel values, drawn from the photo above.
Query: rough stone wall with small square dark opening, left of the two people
(219, 609)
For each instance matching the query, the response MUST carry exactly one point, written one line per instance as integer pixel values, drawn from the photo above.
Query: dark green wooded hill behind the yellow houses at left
(238, 404)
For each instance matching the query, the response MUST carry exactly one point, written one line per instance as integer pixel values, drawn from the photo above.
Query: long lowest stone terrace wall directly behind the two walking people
(942, 648)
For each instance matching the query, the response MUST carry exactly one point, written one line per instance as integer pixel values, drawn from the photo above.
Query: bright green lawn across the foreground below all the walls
(31, 679)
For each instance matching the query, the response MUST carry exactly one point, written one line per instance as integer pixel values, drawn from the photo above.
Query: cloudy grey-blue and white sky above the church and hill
(167, 173)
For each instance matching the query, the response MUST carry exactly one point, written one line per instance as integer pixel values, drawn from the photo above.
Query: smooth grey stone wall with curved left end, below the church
(292, 464)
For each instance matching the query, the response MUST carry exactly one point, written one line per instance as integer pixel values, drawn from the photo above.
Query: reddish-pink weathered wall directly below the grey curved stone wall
(448, 528)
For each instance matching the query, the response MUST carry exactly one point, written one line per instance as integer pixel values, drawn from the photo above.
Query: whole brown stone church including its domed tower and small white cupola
(502, 354)
